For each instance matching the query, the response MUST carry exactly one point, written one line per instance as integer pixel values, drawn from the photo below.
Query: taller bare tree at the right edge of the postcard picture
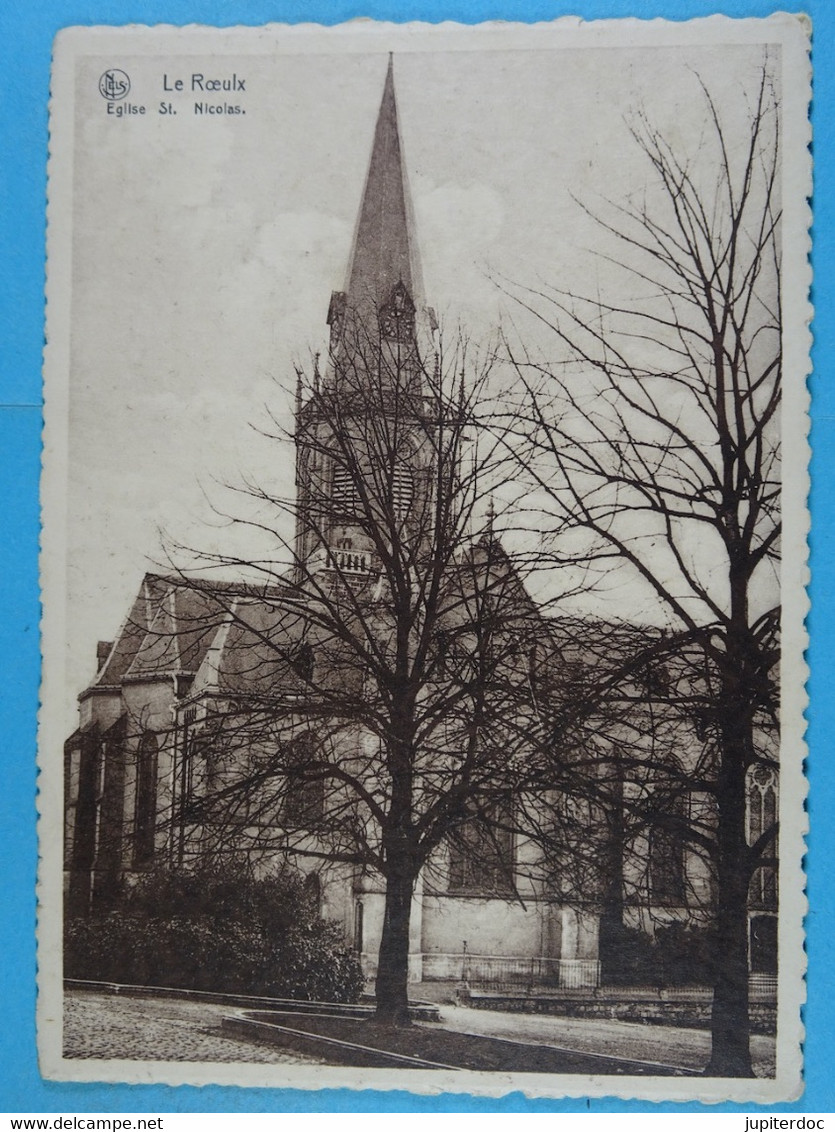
(652, 443)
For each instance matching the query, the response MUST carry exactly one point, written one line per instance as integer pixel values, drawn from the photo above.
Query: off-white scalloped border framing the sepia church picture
(793, 33)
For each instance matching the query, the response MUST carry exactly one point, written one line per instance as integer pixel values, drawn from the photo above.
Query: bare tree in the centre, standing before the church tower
(373, 701)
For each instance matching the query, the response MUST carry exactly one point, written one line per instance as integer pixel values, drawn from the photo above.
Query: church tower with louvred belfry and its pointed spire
(365, 434)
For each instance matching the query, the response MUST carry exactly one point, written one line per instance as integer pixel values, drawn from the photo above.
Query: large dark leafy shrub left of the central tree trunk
(212, 931)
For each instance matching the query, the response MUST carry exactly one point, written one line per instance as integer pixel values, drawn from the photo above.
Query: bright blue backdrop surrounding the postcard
(27, 37)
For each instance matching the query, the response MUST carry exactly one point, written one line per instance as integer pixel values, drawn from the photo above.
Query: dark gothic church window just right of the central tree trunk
(481, 855)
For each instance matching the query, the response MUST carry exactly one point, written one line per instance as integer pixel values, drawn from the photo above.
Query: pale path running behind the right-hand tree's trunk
(670, 1047)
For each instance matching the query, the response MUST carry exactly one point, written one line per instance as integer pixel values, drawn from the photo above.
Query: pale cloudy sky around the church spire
(204, 251)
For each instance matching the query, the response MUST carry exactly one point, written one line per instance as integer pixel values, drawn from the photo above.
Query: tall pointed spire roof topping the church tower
(384, 253)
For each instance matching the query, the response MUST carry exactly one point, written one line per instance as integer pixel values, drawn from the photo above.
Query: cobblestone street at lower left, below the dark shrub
(159, 1030)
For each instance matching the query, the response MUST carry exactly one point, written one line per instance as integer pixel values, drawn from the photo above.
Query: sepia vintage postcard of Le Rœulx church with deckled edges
(425, 558)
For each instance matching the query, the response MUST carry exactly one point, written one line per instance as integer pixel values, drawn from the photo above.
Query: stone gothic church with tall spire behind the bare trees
(273, 721)
